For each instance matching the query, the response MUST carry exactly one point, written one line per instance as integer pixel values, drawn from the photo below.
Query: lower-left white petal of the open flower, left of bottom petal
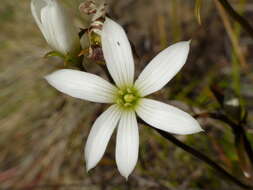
(99, 136)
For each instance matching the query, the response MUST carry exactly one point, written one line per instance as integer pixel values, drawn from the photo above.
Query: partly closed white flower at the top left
(56, 26)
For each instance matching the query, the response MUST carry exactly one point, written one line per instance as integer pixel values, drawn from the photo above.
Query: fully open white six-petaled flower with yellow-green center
(127, 97)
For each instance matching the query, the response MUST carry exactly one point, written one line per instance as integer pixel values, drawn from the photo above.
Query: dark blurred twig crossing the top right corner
(242, 21)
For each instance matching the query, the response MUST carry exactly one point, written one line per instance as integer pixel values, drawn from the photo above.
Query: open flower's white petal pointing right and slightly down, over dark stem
(166, 117)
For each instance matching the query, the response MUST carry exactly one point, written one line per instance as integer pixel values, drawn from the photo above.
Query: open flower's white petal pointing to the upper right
(162, 68)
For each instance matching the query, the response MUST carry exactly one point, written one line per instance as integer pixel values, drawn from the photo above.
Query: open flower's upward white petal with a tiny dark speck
(117, 53)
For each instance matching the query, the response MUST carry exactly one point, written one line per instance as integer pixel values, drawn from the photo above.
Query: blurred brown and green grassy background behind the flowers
(43, 132)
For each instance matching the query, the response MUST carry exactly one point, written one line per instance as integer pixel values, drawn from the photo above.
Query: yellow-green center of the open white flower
(127, 98)
